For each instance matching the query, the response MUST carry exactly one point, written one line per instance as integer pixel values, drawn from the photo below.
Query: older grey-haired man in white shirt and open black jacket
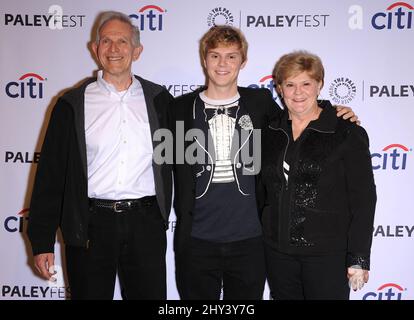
(97, 181)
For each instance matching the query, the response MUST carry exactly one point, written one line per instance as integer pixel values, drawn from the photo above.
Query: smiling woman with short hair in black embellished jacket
(316, 190)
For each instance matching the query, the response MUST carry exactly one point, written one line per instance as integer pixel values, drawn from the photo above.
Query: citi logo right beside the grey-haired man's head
(149, 18)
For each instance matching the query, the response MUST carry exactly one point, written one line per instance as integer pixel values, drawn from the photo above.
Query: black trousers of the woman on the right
(298, 277)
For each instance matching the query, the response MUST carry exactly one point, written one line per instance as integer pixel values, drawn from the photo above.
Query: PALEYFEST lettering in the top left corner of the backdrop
(54, 19)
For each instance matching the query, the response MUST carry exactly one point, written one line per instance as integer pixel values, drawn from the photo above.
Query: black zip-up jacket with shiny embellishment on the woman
(328, 204)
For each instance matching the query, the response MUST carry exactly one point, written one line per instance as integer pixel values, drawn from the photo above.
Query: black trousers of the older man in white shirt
(132, 243)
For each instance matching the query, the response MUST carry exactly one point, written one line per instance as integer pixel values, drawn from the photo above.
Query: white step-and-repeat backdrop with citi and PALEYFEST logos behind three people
(367, 49)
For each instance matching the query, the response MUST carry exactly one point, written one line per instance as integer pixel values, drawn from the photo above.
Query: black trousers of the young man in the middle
(206, 267)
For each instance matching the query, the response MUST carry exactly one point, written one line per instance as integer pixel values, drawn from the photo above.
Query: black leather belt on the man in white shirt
(123, 205)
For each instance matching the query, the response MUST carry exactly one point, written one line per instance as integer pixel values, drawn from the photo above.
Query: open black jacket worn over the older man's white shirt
(60, 197)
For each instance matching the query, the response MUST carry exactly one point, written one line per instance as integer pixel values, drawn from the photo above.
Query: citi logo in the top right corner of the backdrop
(398, 15)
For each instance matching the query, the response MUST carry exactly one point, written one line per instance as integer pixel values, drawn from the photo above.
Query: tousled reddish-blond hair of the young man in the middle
(223, 35)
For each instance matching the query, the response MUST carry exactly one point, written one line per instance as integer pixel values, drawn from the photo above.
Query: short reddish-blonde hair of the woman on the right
(296, 62)
